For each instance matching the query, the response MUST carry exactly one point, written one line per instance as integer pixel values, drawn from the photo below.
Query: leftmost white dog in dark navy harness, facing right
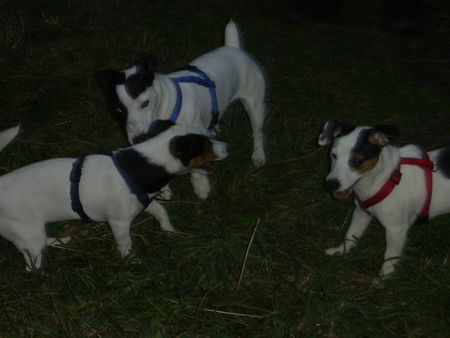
(112, 187)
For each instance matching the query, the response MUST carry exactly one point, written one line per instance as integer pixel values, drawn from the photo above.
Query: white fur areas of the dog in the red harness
(398, 211)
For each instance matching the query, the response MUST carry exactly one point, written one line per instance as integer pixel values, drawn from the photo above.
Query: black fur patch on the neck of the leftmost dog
(150, 177)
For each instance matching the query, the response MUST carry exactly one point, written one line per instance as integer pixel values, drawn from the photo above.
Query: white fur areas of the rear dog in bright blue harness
(237, 77)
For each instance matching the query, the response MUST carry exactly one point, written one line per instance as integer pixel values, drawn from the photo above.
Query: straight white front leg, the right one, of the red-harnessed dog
(395, 242)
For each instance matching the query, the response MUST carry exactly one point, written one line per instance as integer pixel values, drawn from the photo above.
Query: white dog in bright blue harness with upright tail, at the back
(196, 95)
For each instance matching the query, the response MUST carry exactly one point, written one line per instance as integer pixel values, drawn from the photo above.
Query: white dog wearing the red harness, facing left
(398, 186)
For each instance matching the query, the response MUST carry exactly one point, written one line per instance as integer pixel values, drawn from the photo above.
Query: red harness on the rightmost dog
(394, 180)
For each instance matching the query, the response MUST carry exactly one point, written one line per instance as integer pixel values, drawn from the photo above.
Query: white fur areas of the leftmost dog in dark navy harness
(39, 193)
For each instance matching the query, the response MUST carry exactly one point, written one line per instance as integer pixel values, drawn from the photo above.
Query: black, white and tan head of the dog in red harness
(355, 151)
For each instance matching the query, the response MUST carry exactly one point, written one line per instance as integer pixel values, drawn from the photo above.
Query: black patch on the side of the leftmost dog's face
(189, 146)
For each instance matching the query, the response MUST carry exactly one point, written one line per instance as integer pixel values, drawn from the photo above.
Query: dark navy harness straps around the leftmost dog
(75, 176)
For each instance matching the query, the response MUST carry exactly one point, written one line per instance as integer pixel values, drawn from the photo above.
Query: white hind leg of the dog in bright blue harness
(256, 110)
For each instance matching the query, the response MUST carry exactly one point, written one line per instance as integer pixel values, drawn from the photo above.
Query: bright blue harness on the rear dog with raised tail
(202, 80)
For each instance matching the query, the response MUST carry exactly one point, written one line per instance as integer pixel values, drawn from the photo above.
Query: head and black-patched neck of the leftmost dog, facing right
(171, 150)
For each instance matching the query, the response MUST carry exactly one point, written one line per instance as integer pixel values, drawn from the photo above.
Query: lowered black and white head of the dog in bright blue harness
(130, 96)
